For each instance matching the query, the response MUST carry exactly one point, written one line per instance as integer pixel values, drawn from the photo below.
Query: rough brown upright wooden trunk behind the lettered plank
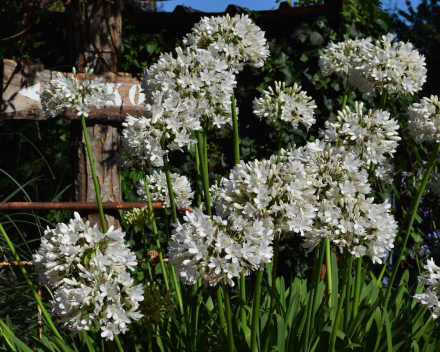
(95, 30)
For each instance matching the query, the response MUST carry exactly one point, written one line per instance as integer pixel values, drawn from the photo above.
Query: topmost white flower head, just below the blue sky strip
(237, 40)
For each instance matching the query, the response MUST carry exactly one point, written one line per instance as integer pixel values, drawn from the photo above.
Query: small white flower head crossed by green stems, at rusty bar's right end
(159, 189)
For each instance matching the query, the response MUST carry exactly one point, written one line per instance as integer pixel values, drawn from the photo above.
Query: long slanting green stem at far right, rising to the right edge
(412, 213)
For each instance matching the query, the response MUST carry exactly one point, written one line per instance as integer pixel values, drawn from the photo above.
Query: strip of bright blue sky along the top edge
(220, 5)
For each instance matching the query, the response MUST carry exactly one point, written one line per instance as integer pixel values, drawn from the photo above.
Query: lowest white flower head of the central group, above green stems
(204, 248)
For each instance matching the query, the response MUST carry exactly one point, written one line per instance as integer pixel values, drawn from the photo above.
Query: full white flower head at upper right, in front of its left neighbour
(394, 67)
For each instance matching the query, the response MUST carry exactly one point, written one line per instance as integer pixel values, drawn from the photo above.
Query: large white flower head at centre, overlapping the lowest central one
(280, 195)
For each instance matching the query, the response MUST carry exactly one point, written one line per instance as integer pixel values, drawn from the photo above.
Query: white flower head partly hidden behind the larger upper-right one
(338, 58)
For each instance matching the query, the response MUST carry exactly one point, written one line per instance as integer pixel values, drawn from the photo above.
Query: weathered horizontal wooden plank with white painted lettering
(23, 82)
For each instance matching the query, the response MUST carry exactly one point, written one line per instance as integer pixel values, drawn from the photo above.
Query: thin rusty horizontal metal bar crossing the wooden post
(80, 206)
